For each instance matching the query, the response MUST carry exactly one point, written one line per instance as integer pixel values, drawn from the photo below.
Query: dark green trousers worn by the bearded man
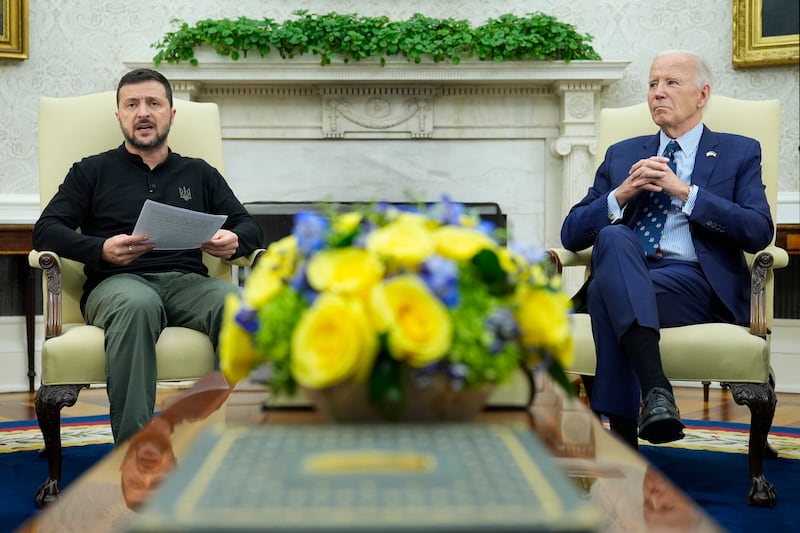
(133, 310)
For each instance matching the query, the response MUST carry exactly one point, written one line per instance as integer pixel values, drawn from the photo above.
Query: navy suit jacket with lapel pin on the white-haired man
(731, 213)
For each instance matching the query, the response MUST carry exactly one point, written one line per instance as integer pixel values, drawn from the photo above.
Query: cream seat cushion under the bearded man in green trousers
(77, 356)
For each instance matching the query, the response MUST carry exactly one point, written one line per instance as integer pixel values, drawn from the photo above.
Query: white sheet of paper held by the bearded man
(175, 228)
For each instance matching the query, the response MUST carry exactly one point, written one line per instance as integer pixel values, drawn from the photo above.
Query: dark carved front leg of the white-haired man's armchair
(760, 399)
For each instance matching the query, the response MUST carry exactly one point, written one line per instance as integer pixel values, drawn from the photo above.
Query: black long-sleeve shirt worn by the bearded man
(102, 196)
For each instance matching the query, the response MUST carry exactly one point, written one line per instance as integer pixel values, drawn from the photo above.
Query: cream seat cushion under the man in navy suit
(736, 355)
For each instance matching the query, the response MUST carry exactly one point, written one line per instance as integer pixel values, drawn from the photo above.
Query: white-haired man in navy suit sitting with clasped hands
(689, 268)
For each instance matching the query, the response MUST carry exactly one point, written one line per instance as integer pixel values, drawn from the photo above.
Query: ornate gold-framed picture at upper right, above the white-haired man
(751, 47)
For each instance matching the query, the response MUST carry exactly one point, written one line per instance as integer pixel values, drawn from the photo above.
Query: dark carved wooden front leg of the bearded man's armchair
(49, 401)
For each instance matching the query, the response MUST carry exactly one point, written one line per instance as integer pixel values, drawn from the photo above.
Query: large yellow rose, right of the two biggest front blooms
(419, 327)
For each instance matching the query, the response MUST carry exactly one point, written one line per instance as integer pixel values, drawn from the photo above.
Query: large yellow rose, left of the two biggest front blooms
(333, 342)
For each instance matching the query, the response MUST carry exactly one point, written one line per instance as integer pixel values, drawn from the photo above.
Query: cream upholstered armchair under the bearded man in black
(72, 353)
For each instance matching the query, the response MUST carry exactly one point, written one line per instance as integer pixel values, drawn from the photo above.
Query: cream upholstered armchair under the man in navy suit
(737, 357)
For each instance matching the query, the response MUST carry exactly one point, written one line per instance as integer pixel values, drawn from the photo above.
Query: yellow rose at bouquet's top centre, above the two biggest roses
(349, 271)
